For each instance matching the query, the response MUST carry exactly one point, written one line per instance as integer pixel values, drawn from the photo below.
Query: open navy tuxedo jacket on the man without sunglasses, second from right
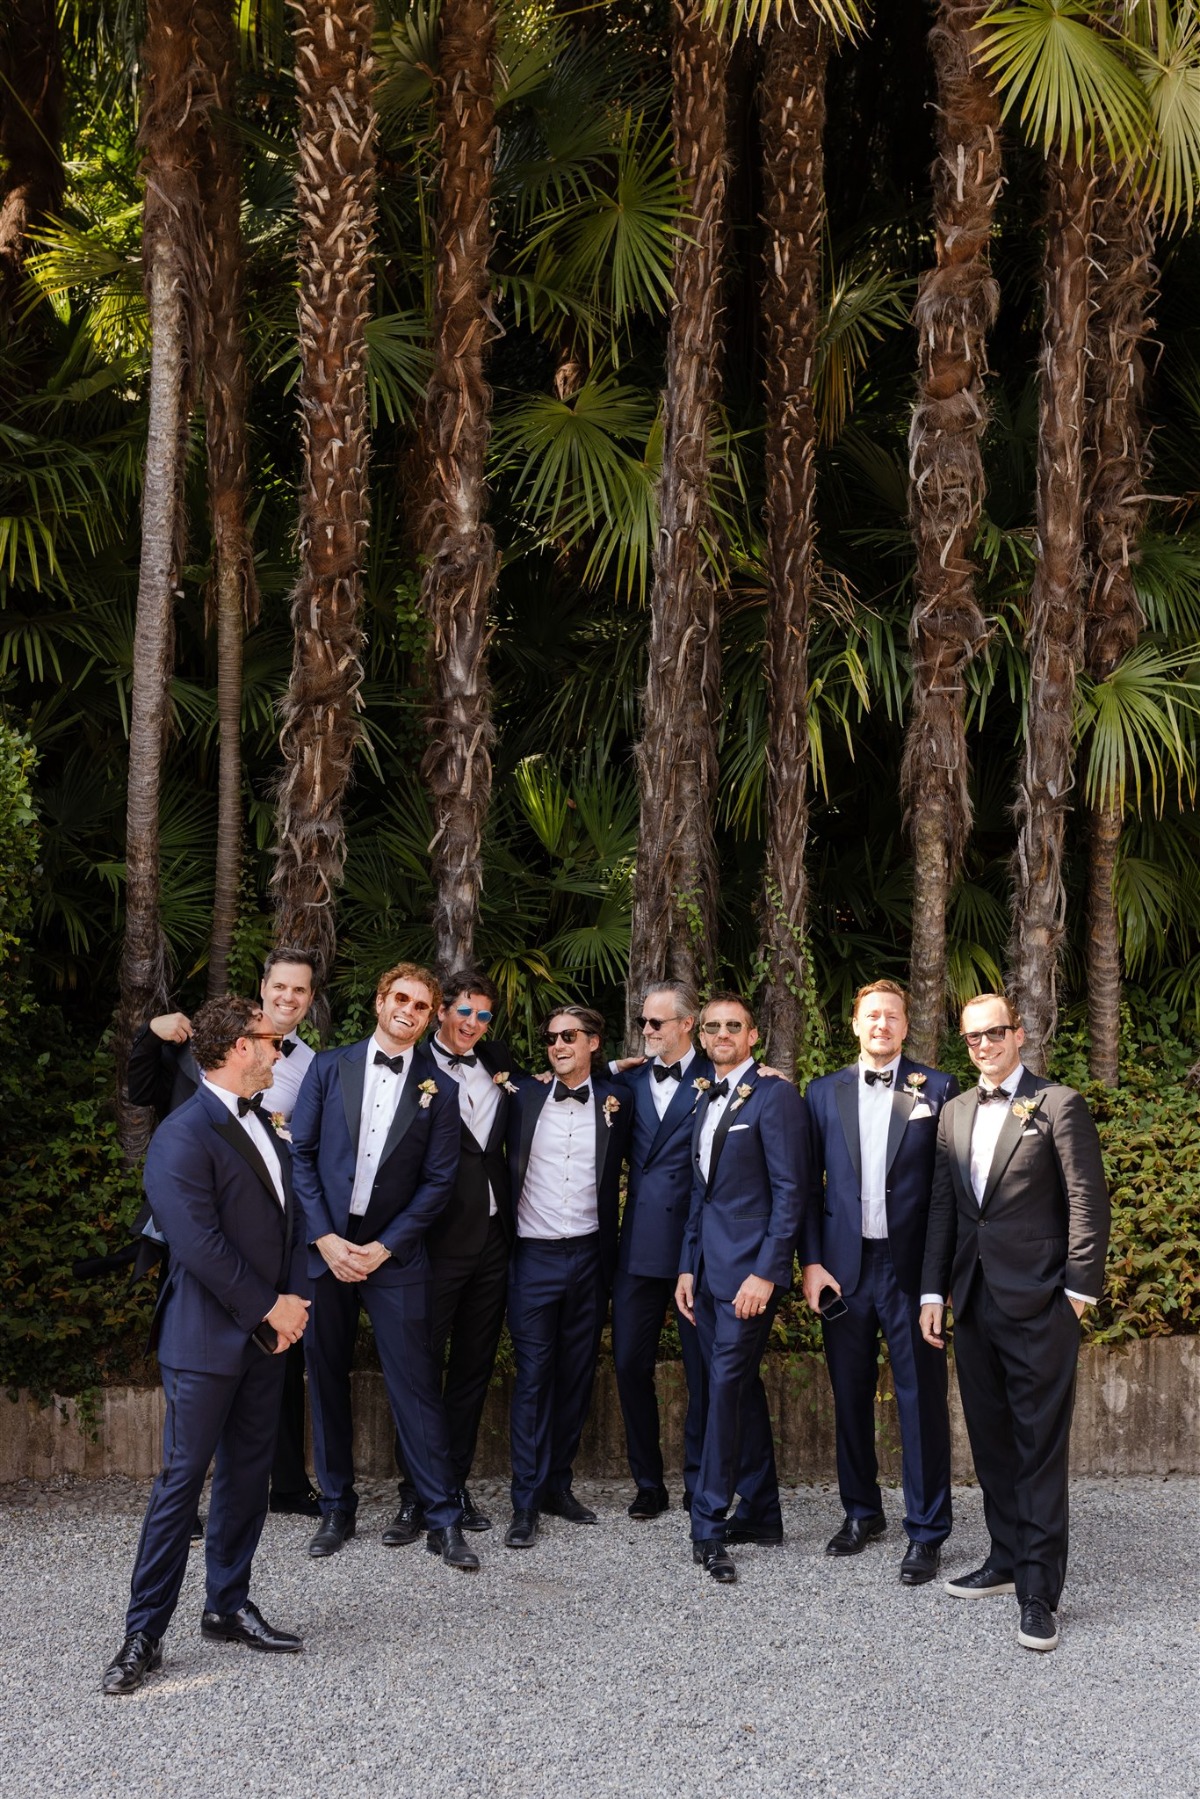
(834, 1219)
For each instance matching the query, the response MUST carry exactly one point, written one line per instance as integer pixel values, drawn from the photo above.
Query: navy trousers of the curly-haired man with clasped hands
(402, 1332)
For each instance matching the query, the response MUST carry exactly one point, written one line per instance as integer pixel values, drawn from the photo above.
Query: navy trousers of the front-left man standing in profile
(235, 1419)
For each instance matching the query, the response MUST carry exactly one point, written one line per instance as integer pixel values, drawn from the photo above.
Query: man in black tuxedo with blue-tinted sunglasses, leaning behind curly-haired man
(470, 1244)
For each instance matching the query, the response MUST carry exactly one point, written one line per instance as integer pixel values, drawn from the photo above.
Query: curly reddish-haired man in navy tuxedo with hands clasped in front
(375, 1138)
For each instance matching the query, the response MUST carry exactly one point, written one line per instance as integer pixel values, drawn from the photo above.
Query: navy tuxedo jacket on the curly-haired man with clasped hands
(416, 1172)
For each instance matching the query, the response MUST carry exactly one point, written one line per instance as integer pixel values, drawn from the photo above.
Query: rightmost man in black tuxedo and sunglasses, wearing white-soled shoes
(1019, 1233)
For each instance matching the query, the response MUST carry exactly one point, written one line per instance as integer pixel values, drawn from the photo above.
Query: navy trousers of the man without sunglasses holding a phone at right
(879, 1309)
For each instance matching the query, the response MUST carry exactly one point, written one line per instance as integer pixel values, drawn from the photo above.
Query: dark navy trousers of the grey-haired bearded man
(640, 1303)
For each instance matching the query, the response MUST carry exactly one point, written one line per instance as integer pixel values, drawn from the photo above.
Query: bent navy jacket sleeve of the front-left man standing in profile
(179, 1186)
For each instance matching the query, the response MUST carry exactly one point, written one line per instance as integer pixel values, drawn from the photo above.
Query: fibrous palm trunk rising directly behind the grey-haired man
(674, 927)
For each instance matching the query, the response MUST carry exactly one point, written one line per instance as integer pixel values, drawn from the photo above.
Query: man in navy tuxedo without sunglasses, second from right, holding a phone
(875, 1132)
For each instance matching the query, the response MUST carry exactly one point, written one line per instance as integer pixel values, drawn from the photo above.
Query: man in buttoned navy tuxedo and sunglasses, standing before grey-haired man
(749, 1190)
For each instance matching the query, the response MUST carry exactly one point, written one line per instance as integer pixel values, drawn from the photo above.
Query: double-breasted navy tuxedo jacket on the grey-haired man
(661, 1174)
